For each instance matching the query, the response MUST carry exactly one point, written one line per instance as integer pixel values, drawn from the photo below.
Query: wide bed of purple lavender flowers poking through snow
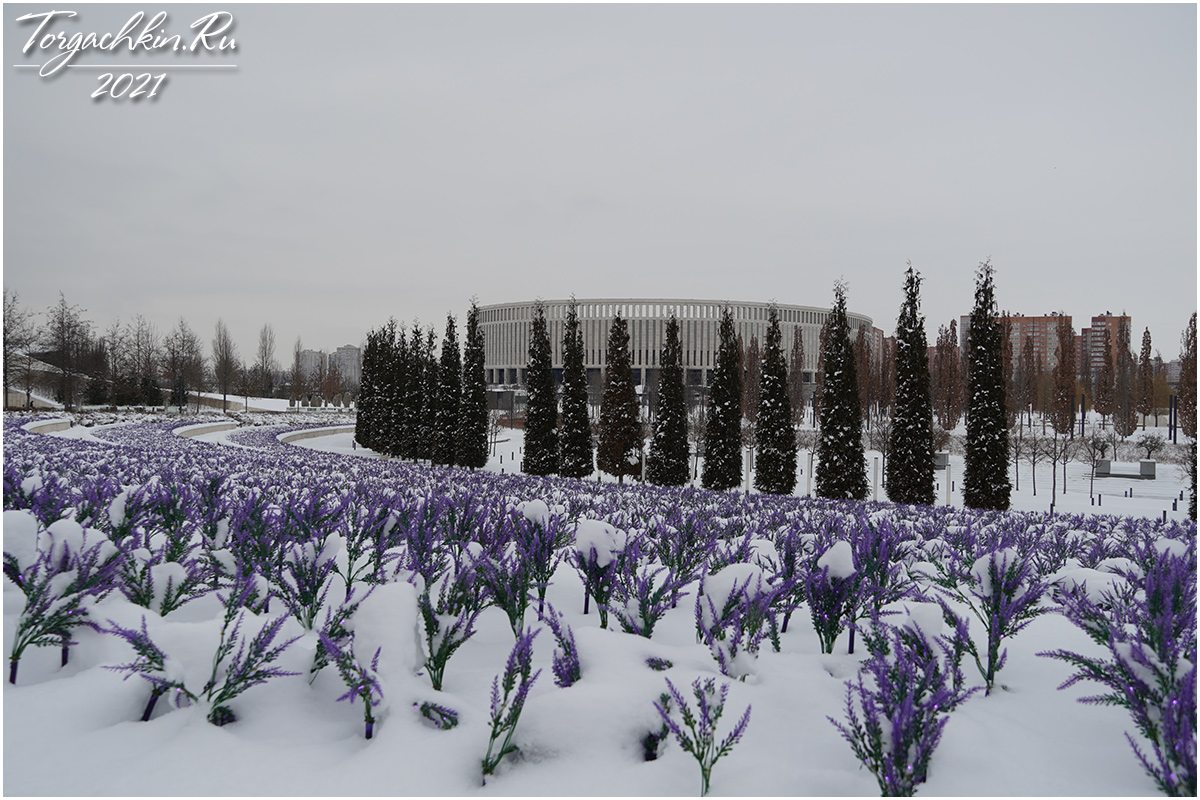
(292, 534)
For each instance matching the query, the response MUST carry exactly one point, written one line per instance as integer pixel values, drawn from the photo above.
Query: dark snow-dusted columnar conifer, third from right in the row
(842, 464)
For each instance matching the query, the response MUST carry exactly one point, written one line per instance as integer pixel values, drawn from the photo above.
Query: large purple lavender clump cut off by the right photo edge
(1151, 637)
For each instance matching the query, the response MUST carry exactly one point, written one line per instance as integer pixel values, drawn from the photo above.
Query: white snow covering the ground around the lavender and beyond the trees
(75, 730)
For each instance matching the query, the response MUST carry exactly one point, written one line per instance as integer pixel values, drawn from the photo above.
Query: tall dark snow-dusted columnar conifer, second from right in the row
(910, 471)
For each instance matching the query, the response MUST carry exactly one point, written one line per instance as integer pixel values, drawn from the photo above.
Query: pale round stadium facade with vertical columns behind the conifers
(507, 329)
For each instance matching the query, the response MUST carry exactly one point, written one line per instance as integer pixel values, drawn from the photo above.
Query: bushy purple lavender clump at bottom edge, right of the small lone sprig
(897, 711)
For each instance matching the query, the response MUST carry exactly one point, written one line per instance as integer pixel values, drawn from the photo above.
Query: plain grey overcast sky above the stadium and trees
(375, 161)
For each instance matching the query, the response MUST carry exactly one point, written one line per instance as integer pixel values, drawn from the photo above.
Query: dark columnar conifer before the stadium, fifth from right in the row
(723, 432)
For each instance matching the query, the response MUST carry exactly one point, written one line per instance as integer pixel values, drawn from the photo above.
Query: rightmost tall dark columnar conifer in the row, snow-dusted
(986, 484)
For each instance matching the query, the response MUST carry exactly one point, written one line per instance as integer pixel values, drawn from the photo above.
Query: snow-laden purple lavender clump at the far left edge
(67, 576)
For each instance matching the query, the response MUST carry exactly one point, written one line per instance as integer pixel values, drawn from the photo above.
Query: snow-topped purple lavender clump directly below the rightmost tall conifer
(1004, 596)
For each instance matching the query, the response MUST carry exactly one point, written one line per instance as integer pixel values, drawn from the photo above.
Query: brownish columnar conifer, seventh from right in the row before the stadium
(621, 430)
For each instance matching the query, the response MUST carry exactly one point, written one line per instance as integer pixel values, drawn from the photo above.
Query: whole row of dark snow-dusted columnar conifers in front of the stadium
(418, 406)
